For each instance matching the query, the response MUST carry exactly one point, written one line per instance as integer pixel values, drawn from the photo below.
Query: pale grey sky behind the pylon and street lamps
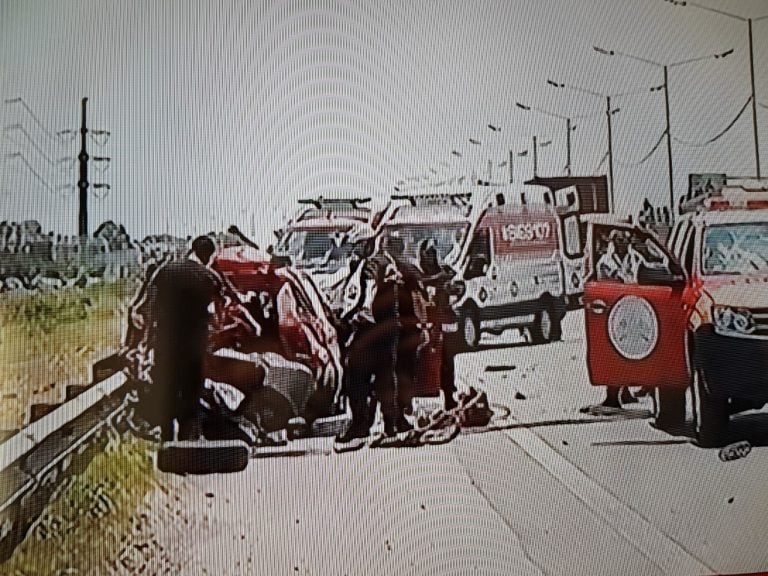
(227, 112)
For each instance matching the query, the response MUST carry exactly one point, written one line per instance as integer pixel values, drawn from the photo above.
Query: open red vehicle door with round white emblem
(634, 316)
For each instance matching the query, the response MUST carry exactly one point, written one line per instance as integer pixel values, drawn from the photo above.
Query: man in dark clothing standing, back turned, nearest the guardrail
(175, 316)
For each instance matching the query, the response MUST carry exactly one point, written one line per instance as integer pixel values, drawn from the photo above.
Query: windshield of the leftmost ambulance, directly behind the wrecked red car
(327, 249)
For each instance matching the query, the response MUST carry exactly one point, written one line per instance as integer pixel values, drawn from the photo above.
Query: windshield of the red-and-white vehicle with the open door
(736, 248)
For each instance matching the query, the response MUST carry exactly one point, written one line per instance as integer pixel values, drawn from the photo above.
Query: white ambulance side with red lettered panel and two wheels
(513, 268)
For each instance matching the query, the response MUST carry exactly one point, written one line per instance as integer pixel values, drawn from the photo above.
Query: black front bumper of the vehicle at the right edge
(734, 366)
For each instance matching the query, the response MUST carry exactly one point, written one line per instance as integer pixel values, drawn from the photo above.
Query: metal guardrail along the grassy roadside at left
(35, 460)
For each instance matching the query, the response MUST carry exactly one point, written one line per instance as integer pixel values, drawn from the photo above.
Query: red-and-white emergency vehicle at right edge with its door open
(693, 314)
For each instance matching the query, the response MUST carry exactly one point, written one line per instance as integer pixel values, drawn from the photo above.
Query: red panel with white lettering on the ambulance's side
(523, 235)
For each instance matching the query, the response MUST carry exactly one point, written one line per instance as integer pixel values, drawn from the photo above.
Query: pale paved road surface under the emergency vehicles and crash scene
(556, 492)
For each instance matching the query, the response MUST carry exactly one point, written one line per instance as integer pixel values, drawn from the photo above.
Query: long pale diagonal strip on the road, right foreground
(658, 547)
